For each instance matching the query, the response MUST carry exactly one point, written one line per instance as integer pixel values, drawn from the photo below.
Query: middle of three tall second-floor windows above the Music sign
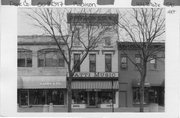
(92, 63)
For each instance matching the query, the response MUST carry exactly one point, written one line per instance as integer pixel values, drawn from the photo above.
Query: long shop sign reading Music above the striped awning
(96, 74)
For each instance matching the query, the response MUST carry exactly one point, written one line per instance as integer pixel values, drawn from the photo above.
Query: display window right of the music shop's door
(106, 97)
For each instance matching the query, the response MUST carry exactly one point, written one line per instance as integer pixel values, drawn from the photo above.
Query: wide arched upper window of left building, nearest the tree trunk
(50, 58)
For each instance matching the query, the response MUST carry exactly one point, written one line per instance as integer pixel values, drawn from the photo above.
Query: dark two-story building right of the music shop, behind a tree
(129, 76)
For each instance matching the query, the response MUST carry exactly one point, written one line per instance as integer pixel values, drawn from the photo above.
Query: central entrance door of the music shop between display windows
(92, 98)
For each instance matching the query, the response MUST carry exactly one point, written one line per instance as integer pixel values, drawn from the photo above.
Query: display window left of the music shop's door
(79, 97)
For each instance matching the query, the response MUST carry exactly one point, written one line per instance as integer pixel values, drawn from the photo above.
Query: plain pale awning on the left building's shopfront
(40, 82)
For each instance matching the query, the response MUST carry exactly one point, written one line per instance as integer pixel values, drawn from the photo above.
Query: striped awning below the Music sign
(94, 85)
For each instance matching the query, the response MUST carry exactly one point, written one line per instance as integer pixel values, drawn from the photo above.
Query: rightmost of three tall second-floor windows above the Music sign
(108, 62)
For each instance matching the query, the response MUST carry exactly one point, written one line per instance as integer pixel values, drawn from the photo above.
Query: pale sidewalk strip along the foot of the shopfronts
(64, 109)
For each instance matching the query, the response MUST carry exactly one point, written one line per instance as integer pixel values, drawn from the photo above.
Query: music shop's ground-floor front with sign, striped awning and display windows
(99, 90)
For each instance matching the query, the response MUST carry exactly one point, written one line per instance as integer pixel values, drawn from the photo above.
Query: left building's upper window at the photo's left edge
(24, 58)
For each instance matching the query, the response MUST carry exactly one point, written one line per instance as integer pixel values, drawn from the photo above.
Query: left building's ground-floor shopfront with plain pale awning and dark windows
(40, 90)
